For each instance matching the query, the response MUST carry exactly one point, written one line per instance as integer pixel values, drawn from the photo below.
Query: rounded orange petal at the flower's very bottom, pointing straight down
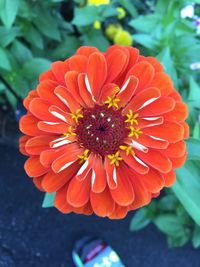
(102, 203)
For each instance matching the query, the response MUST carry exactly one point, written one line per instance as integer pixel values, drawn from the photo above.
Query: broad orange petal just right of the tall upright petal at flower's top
(116, 61)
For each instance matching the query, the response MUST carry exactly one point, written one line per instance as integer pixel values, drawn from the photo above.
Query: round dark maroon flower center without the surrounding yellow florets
(101, 130)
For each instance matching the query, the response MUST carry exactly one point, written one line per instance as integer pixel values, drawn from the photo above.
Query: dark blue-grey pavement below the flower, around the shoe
(34, 237)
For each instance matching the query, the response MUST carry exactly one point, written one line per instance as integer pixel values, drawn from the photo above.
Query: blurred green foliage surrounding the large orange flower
(36, 32)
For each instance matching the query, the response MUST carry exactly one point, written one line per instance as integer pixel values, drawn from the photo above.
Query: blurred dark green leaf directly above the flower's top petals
(95, 38)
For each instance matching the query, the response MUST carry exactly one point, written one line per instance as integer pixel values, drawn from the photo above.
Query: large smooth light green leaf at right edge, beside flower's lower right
(187, 188)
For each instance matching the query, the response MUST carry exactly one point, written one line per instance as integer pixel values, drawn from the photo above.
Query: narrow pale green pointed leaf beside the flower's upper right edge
(165, 58)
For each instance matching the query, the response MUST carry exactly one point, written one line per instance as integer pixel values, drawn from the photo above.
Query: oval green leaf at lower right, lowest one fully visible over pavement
(169, 224)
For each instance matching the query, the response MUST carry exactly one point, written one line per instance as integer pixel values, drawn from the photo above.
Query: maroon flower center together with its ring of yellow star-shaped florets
(103, 130)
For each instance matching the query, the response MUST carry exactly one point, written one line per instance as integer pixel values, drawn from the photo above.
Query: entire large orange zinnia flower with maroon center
(104, 131)
